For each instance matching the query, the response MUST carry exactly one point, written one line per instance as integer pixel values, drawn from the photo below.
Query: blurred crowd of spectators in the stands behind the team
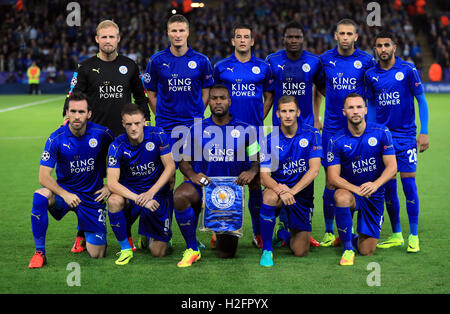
(39, 32)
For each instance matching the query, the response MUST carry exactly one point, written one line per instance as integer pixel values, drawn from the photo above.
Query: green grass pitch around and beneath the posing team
(23, 132)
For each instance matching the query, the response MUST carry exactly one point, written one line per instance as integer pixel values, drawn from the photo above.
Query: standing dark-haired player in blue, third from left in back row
(249, 80)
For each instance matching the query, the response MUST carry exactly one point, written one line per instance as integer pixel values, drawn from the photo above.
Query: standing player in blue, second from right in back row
(344, 67)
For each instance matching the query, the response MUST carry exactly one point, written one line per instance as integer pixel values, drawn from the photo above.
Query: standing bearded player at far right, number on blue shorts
(392, 86)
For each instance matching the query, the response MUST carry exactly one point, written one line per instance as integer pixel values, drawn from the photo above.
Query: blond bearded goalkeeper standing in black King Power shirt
(109, 80)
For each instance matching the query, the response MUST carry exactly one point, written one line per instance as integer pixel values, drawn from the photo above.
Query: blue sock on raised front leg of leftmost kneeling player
(39, 221)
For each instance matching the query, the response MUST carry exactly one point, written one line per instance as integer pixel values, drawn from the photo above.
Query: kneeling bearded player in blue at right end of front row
(360, 159)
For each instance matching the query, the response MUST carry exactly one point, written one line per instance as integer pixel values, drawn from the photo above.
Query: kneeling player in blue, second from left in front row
(140, 165)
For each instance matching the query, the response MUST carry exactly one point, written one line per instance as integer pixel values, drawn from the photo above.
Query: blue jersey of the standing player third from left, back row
(246, 82)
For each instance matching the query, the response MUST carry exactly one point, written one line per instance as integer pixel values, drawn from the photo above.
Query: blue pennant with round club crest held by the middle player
(223, 206)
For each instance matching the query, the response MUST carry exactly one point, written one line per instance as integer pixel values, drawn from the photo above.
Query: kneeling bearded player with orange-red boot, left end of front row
(78, 150)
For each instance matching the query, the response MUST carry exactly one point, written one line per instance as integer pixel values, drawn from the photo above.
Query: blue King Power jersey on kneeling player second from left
(140, 165)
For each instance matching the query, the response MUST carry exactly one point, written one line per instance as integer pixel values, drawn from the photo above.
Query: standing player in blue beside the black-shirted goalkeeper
(177, 80)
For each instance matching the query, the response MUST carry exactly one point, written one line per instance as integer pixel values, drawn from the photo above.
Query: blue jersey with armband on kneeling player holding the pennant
(223, 150)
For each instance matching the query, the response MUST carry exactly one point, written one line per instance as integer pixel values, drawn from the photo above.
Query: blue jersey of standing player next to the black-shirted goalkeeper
(178, 82)
